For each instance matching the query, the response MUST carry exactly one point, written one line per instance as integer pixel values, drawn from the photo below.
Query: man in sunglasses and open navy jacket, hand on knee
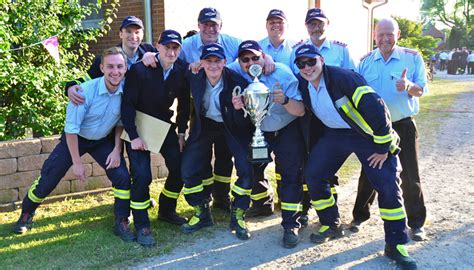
(353, 119)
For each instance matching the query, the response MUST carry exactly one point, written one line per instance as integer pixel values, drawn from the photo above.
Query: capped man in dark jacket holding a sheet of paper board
(152, 91)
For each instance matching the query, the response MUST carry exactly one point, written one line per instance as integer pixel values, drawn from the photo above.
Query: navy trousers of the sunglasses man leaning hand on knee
(325, 159)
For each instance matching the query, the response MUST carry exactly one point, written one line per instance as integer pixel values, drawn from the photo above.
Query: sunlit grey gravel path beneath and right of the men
(448, 177)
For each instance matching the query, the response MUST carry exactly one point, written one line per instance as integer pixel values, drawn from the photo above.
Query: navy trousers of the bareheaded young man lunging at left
(59, 162)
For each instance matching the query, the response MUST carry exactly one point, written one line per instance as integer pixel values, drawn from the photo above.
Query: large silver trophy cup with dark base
(257, 104)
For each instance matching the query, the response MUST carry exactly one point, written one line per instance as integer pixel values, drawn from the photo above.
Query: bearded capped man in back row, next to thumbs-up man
(335, 53)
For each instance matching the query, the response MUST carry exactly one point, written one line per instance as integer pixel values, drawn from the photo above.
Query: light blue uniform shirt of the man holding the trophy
(279, 116)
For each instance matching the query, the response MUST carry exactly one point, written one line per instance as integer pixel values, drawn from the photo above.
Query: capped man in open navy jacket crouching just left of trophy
(214, 117)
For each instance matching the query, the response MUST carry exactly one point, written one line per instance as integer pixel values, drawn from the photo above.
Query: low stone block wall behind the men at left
(21, 162)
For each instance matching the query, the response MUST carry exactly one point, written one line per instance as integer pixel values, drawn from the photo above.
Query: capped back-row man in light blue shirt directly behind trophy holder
(276, 44)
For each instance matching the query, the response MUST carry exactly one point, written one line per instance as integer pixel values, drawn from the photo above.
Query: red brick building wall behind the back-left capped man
(135, 8)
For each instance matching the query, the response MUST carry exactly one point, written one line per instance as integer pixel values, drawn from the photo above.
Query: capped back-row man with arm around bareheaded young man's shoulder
(131, 35)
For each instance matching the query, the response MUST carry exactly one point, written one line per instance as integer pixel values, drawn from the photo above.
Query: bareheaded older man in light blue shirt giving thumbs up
(398, 75)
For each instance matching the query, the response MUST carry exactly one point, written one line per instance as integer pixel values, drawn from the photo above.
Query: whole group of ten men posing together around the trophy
(325, 108)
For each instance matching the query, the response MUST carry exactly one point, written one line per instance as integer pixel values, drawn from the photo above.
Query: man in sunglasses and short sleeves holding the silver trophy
(281, 131)
